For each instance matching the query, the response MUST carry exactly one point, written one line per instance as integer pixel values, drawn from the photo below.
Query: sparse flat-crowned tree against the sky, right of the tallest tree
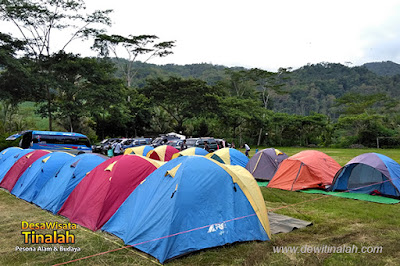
(134, 47)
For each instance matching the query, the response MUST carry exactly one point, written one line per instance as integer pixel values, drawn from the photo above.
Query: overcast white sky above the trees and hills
(262, 34)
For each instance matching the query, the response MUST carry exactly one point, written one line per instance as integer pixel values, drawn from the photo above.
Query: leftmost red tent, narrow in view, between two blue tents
(19, 168)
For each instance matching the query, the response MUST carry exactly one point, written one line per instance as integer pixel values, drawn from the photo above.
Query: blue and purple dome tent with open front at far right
(369, 173)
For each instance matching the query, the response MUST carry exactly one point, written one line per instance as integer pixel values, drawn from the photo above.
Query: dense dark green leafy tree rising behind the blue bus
(77, 81)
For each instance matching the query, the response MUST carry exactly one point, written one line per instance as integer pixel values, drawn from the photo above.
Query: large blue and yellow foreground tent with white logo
(191, 203)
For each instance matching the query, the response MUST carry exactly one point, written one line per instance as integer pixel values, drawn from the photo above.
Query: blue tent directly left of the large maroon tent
(57, 189)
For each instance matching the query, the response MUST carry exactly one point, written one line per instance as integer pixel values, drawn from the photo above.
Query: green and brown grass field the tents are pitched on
(336, 222)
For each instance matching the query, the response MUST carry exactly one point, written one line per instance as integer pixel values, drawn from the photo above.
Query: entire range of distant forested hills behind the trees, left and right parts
(311, 88)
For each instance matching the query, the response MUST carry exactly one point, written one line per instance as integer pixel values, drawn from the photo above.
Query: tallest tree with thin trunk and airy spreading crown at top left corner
(36, 22)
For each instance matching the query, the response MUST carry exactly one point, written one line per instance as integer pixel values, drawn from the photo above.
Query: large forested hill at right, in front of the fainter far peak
(315, 88)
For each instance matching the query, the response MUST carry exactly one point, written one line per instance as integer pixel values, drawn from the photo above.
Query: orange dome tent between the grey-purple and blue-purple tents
(306, 169)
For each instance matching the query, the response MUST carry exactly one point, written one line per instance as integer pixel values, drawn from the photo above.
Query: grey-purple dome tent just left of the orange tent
(264, 163)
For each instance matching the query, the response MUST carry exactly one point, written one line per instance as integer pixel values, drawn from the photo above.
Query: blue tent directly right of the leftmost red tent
(38, 173)
